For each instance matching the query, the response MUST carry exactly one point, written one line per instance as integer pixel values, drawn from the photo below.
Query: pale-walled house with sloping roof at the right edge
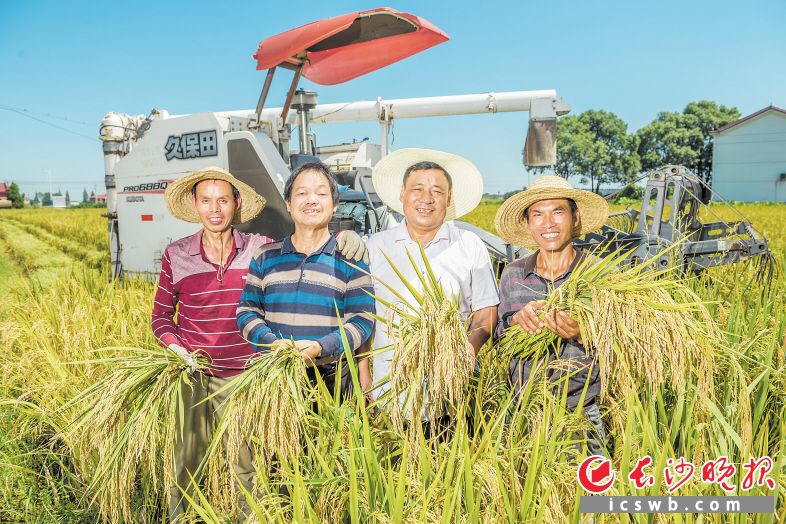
(749, 157)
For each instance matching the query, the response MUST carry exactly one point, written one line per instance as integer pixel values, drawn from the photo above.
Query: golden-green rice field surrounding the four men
(499, 465)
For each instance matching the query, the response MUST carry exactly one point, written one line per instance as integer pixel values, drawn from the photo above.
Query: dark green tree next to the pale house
(684, 138)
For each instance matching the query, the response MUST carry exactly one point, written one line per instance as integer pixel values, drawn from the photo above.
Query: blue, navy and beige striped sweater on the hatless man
(293, 296)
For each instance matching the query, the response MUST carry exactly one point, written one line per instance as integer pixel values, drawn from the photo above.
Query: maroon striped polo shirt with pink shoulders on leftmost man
(195, 310)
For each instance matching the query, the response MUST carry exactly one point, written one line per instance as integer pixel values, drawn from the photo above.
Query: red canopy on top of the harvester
(338, 49)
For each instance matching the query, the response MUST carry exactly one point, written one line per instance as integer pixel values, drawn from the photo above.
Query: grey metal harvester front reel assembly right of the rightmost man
(675, 201)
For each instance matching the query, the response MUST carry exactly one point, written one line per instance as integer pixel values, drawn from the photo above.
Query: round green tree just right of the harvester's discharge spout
(595, 145)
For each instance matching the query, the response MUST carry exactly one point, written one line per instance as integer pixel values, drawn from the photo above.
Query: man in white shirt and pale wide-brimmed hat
(431, 188)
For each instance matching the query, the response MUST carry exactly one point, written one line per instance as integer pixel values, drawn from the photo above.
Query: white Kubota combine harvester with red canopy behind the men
(143, 154)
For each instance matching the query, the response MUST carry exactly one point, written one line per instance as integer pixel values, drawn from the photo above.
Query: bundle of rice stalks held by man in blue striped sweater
(268, 408)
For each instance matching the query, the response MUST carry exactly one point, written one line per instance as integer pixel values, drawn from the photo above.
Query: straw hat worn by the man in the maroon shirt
(180, 201)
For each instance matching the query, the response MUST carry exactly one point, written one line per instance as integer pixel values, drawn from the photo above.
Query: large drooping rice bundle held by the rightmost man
(648, 327)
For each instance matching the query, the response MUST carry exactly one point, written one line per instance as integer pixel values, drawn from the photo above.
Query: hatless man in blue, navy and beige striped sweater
(294, 286)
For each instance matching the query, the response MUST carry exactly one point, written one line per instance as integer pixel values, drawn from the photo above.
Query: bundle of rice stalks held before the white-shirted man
(432, 356)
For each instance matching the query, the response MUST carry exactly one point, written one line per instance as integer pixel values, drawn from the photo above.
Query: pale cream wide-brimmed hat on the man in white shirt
(388, 175)
